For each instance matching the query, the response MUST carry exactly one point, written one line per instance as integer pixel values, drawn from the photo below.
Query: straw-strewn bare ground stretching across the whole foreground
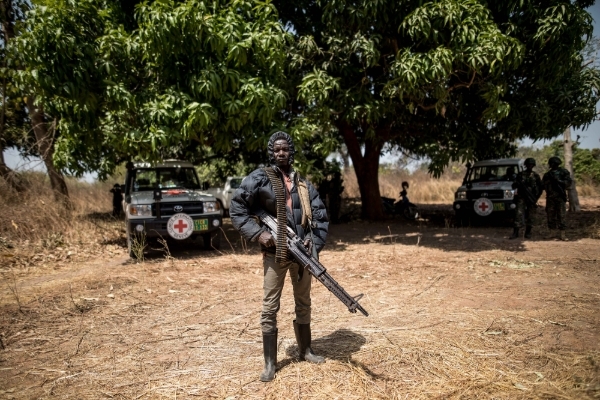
(454, 313)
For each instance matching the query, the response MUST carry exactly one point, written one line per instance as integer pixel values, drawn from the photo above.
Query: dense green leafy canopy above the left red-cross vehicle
(193, 75)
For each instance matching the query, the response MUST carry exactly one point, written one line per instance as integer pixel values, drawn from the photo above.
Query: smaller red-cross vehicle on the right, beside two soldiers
(486, 191)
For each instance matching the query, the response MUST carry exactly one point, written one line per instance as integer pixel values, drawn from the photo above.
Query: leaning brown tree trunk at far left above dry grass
(44, 138)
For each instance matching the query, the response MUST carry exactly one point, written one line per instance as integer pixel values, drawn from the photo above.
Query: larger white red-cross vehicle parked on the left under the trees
(165, 200)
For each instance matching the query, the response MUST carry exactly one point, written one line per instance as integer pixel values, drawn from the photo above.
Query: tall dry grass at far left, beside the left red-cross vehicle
(35, 216)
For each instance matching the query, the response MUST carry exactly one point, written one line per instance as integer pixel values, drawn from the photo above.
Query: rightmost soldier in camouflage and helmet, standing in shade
(556, 182)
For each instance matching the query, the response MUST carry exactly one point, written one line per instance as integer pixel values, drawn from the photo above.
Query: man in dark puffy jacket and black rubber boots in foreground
(279, 191)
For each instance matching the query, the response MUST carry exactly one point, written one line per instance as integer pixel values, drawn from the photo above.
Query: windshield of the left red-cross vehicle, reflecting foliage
(164, 178)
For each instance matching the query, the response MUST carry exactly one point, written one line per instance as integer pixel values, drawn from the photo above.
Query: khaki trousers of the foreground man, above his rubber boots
(274, 276)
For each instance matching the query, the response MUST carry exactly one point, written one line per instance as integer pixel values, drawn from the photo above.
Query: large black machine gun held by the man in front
(316, 269)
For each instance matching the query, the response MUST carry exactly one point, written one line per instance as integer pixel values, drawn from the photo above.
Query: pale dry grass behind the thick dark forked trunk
(424, 189)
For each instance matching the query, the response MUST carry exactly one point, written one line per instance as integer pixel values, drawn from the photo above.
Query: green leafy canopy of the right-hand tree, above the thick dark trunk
(450, 79)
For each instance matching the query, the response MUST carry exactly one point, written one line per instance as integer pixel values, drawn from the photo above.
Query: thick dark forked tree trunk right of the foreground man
(366, 168)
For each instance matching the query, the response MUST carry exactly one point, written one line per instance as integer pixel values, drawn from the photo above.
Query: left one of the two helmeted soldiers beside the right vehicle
(529, 189)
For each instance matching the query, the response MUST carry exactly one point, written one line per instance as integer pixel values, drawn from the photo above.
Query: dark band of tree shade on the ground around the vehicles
(436, 229)
